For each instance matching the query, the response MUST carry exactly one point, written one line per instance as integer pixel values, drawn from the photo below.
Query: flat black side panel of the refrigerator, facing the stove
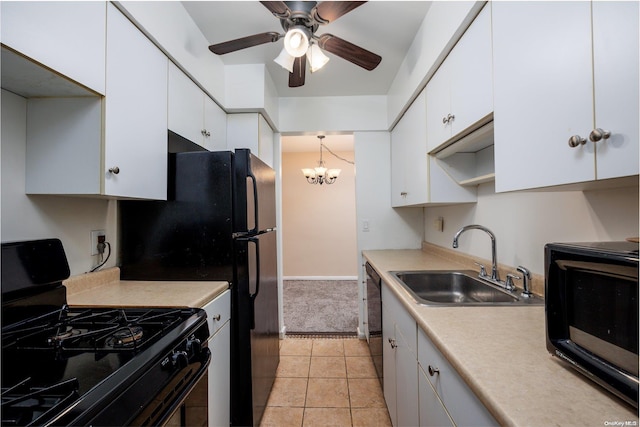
(188, 237)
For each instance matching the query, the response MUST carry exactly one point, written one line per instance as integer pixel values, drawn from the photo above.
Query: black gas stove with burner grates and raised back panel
(66, 365)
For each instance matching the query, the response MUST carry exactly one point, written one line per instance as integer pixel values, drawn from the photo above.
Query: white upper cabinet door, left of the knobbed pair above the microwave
(542, 93)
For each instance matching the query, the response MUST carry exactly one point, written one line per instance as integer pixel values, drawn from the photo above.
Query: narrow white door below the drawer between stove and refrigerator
(219, 378)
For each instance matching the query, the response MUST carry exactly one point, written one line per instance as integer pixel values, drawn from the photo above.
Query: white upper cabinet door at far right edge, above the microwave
(615, 53)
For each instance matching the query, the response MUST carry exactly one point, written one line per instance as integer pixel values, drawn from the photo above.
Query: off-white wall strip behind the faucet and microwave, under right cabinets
(524, 222)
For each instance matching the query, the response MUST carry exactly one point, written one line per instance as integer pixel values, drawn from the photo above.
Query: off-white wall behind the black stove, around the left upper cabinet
(37, 217)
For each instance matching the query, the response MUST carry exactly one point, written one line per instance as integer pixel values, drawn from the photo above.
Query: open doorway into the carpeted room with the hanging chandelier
(319, 239)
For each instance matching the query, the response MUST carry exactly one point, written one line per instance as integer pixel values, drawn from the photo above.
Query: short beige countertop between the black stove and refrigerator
(105, 289)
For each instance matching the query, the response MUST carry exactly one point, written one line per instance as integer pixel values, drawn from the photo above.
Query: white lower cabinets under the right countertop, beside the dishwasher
(421, 388)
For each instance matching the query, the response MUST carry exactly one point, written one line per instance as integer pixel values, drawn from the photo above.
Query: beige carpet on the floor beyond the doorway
(322, 307)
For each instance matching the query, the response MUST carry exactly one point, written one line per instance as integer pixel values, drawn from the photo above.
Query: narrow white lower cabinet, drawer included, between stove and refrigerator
(219, 382)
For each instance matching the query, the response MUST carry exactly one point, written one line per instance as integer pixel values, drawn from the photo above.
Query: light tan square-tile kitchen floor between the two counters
(325, 382)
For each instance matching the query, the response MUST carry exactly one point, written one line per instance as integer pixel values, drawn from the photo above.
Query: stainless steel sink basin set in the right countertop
(459, 288)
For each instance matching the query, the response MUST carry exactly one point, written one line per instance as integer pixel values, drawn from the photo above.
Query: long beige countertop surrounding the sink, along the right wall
(501, 353)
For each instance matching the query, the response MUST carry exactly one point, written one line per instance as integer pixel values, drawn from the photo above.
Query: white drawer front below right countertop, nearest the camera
(461, 403)
